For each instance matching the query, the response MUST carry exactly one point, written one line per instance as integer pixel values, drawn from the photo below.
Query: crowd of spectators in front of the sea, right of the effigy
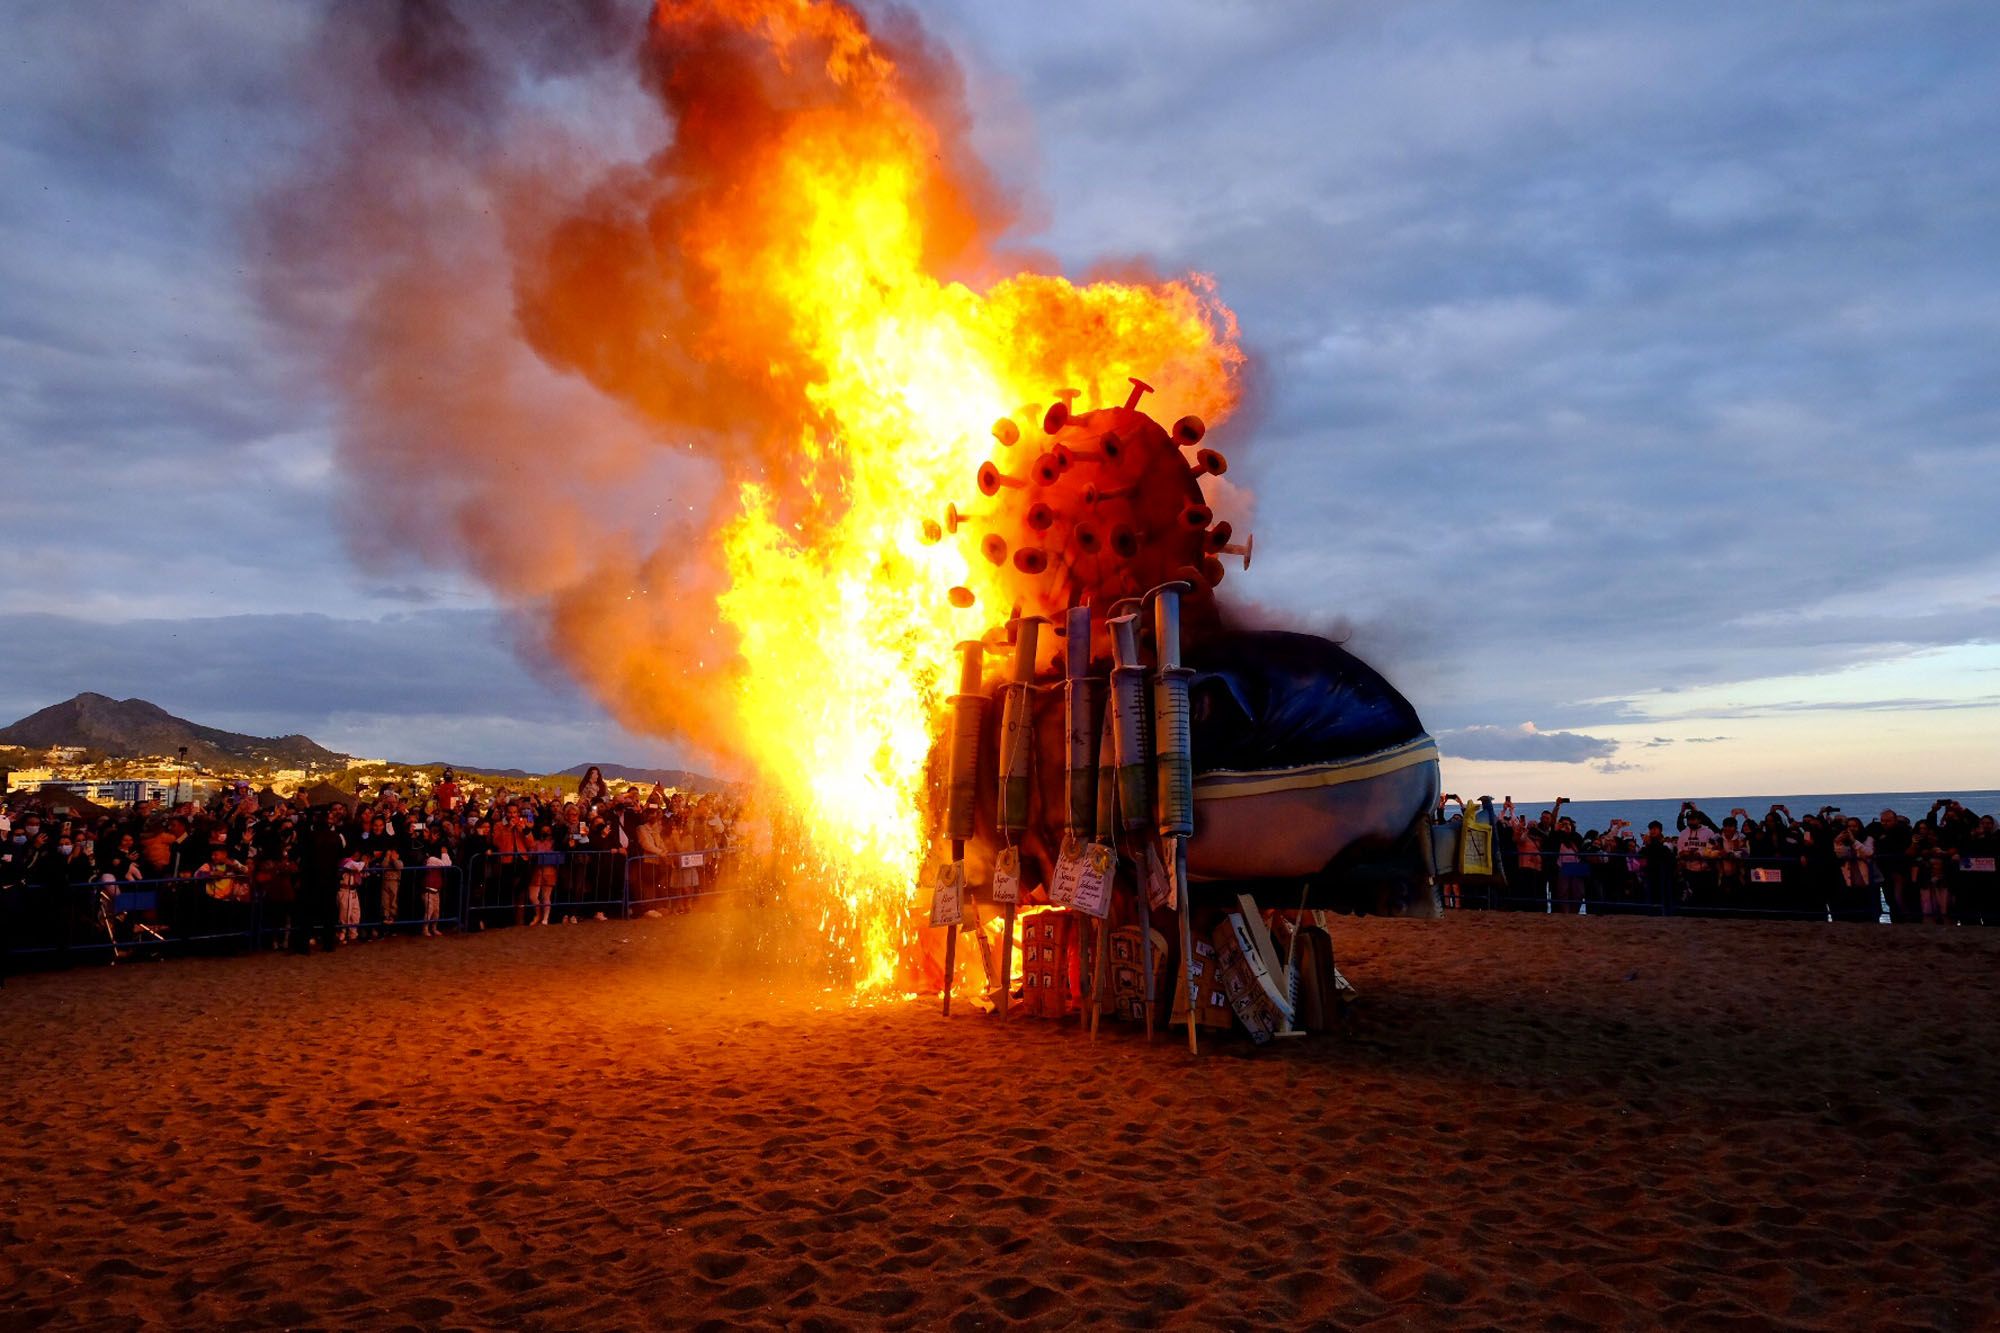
(1821, 866)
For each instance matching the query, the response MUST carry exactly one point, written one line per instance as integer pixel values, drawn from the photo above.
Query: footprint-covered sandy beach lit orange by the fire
(1529, 1124)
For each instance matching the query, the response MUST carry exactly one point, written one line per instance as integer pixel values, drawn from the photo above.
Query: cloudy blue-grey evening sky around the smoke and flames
(1625, 375)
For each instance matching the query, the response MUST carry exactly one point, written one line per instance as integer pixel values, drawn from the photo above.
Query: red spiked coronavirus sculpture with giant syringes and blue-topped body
(1145, 764)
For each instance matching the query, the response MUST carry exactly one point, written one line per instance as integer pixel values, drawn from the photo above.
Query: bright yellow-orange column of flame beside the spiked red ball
(839, 609)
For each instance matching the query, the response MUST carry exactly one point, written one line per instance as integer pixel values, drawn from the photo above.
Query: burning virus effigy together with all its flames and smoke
(697, 339)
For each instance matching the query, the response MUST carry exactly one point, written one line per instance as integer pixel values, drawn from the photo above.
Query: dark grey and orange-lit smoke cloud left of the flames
(485, 253)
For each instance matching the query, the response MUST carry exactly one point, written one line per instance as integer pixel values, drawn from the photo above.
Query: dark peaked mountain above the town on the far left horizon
(135, 730)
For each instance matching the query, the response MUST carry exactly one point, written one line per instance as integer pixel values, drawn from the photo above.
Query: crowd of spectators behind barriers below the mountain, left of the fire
(403, 860)
